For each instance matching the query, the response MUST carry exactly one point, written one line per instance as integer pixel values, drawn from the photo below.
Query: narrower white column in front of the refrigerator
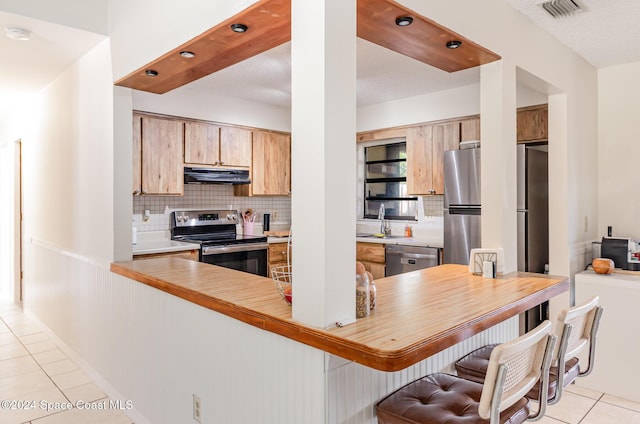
(498, 135)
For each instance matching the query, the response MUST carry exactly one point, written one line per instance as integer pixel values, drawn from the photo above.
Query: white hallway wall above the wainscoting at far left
(68, 159)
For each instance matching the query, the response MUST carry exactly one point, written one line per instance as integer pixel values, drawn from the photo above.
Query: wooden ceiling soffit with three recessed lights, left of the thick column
(269, 23)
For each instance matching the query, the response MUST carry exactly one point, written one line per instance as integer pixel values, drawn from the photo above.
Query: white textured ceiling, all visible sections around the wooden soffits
(606, 33)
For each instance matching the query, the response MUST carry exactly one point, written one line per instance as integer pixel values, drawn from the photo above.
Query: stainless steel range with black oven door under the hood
(215, 231)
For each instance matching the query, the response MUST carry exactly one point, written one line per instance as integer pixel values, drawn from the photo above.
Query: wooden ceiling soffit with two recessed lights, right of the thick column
(423, 40)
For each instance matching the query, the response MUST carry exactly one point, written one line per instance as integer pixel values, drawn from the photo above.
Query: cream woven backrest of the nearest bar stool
(514, 368)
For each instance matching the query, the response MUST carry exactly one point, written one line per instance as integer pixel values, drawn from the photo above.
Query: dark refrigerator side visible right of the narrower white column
(533, 221)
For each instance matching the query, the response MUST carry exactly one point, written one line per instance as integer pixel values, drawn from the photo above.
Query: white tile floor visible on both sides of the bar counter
(34, 369)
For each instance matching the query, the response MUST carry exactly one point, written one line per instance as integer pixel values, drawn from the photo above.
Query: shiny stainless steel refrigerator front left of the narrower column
(461, 204)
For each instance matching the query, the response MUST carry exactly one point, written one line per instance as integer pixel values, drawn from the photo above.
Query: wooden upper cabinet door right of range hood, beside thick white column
(271, 165)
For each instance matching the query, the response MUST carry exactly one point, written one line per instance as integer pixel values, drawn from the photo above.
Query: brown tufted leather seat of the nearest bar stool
(442, 398)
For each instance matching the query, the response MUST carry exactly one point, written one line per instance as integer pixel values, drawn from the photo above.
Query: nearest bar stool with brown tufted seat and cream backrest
(513, 368)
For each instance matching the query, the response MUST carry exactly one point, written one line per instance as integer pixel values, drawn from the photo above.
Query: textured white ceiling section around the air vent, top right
(605, 33)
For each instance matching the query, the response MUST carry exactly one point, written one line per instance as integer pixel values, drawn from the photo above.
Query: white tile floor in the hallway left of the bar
(40, 381)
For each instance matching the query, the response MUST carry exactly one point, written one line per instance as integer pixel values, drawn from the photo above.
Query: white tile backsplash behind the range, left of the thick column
(209, 196)
